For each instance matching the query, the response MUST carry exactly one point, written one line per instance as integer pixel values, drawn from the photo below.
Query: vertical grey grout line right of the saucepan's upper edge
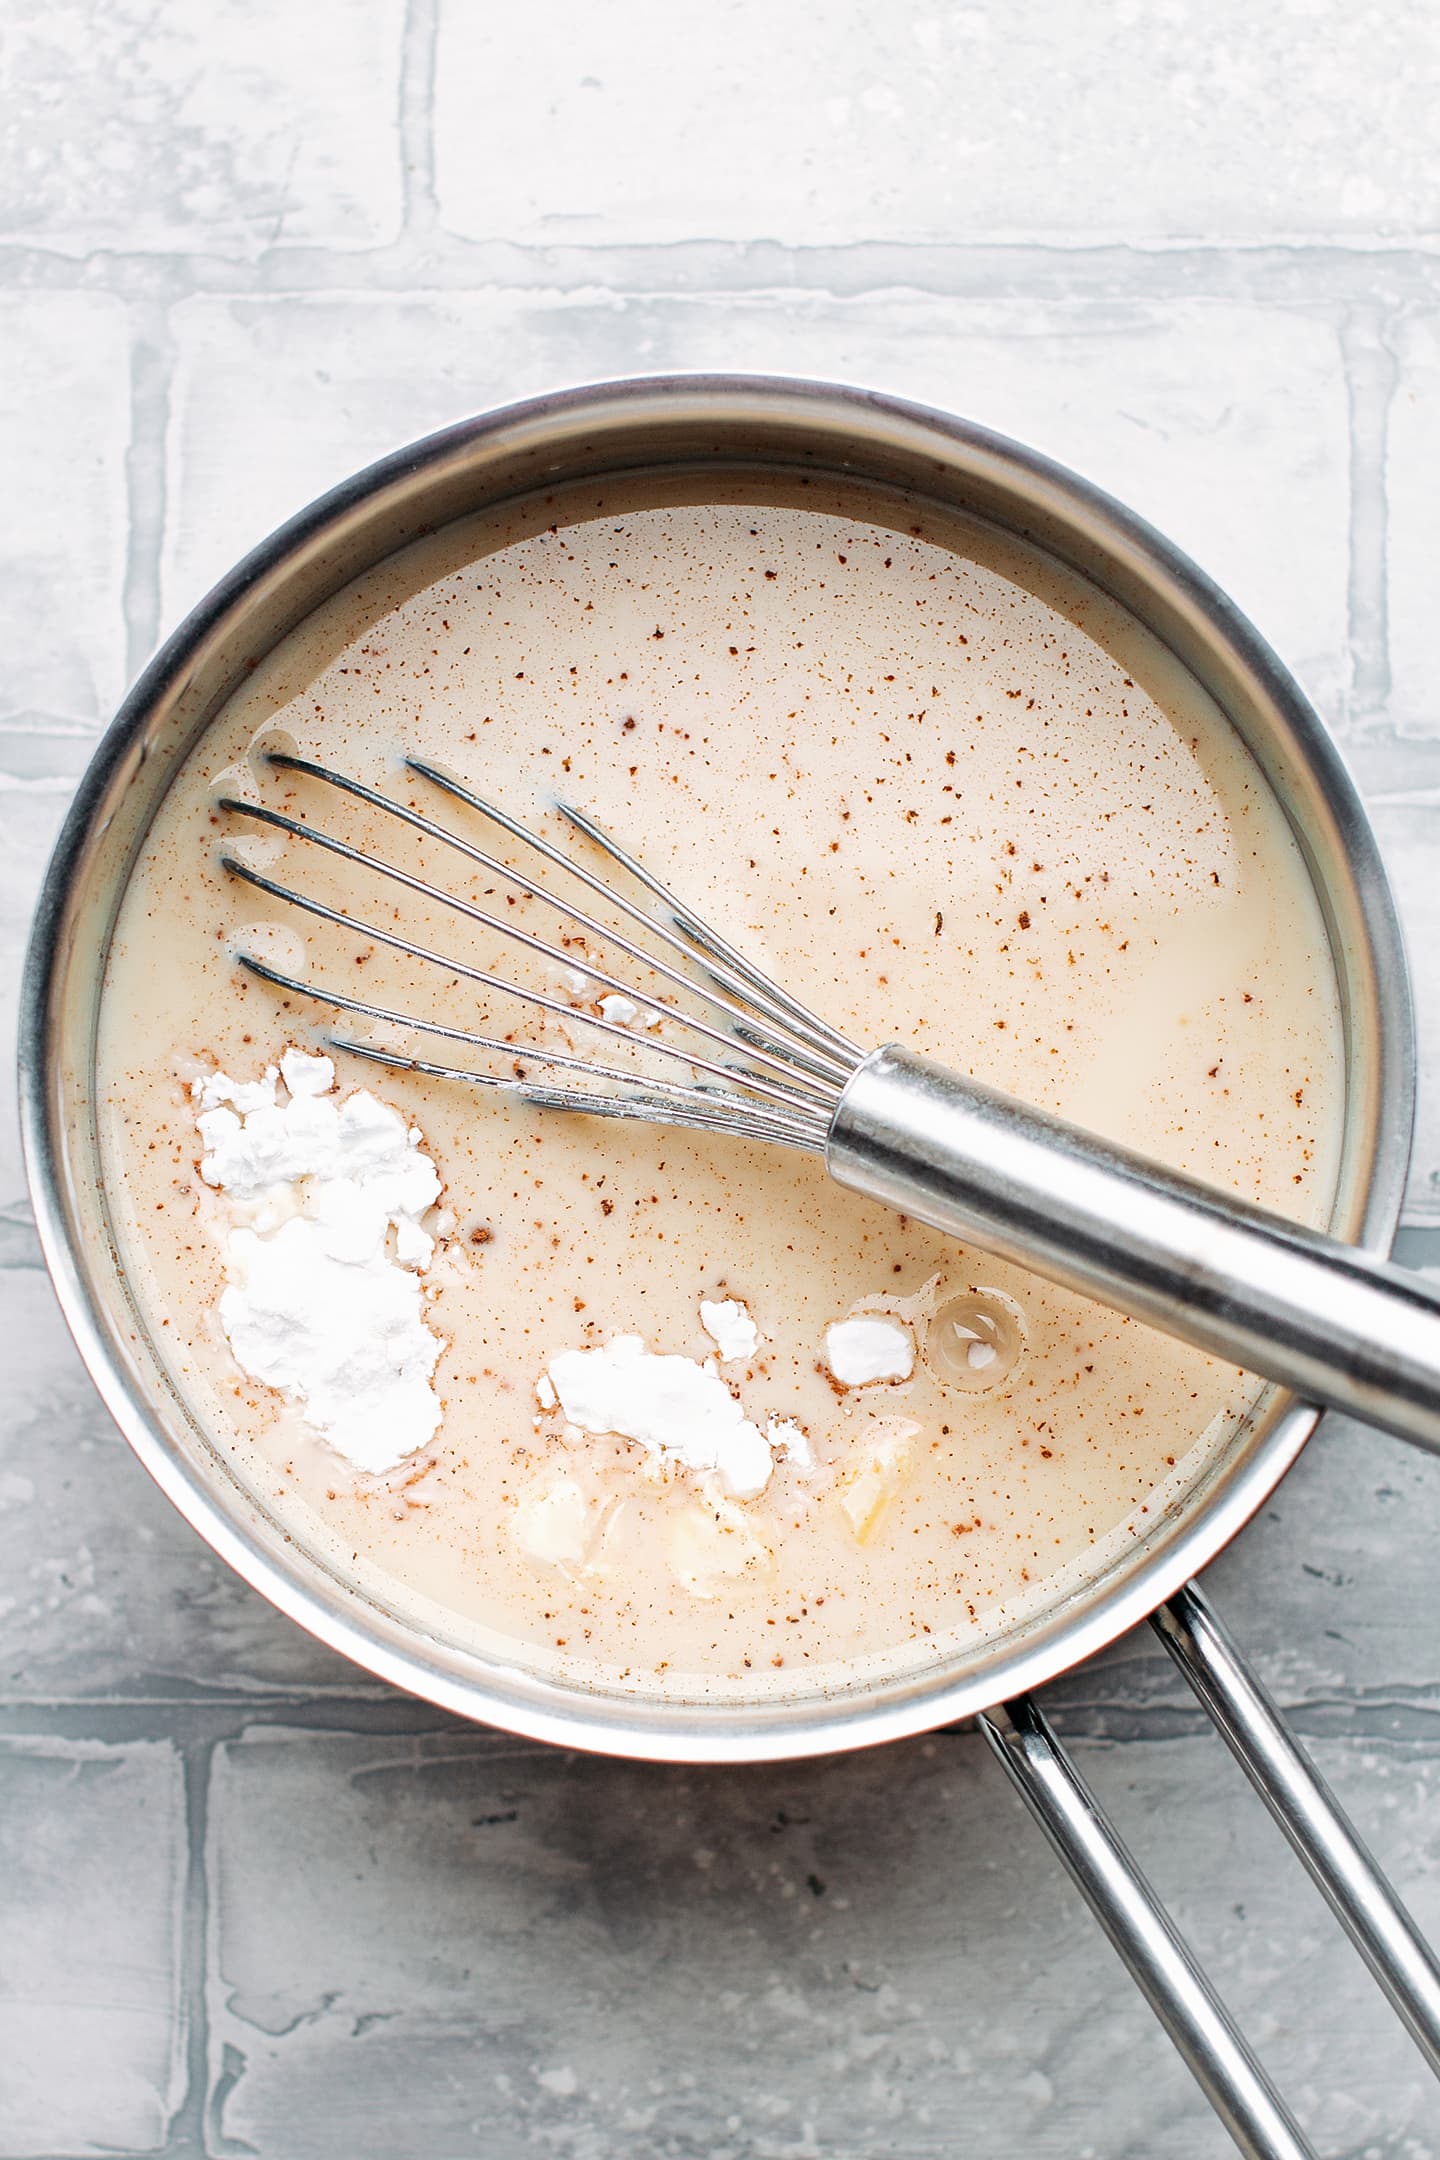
(1370, 377)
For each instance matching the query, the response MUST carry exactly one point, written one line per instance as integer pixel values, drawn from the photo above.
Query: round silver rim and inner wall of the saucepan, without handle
(841, 433)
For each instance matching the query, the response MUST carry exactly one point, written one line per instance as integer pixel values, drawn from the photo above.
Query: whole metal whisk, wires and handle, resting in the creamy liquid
(1275, 1297)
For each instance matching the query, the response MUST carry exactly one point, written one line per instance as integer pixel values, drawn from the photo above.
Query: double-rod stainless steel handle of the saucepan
(1137, 1923)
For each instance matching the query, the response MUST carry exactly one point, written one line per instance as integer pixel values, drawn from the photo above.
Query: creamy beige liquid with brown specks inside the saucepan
(942, 794)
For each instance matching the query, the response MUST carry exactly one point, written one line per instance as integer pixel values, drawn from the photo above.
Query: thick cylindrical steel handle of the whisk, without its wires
(1283, 1301)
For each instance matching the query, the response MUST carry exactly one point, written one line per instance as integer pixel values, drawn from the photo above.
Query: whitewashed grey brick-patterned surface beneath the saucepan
(256, 1904)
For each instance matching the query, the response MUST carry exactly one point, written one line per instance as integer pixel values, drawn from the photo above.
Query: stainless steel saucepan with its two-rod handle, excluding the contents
(733, 427)
